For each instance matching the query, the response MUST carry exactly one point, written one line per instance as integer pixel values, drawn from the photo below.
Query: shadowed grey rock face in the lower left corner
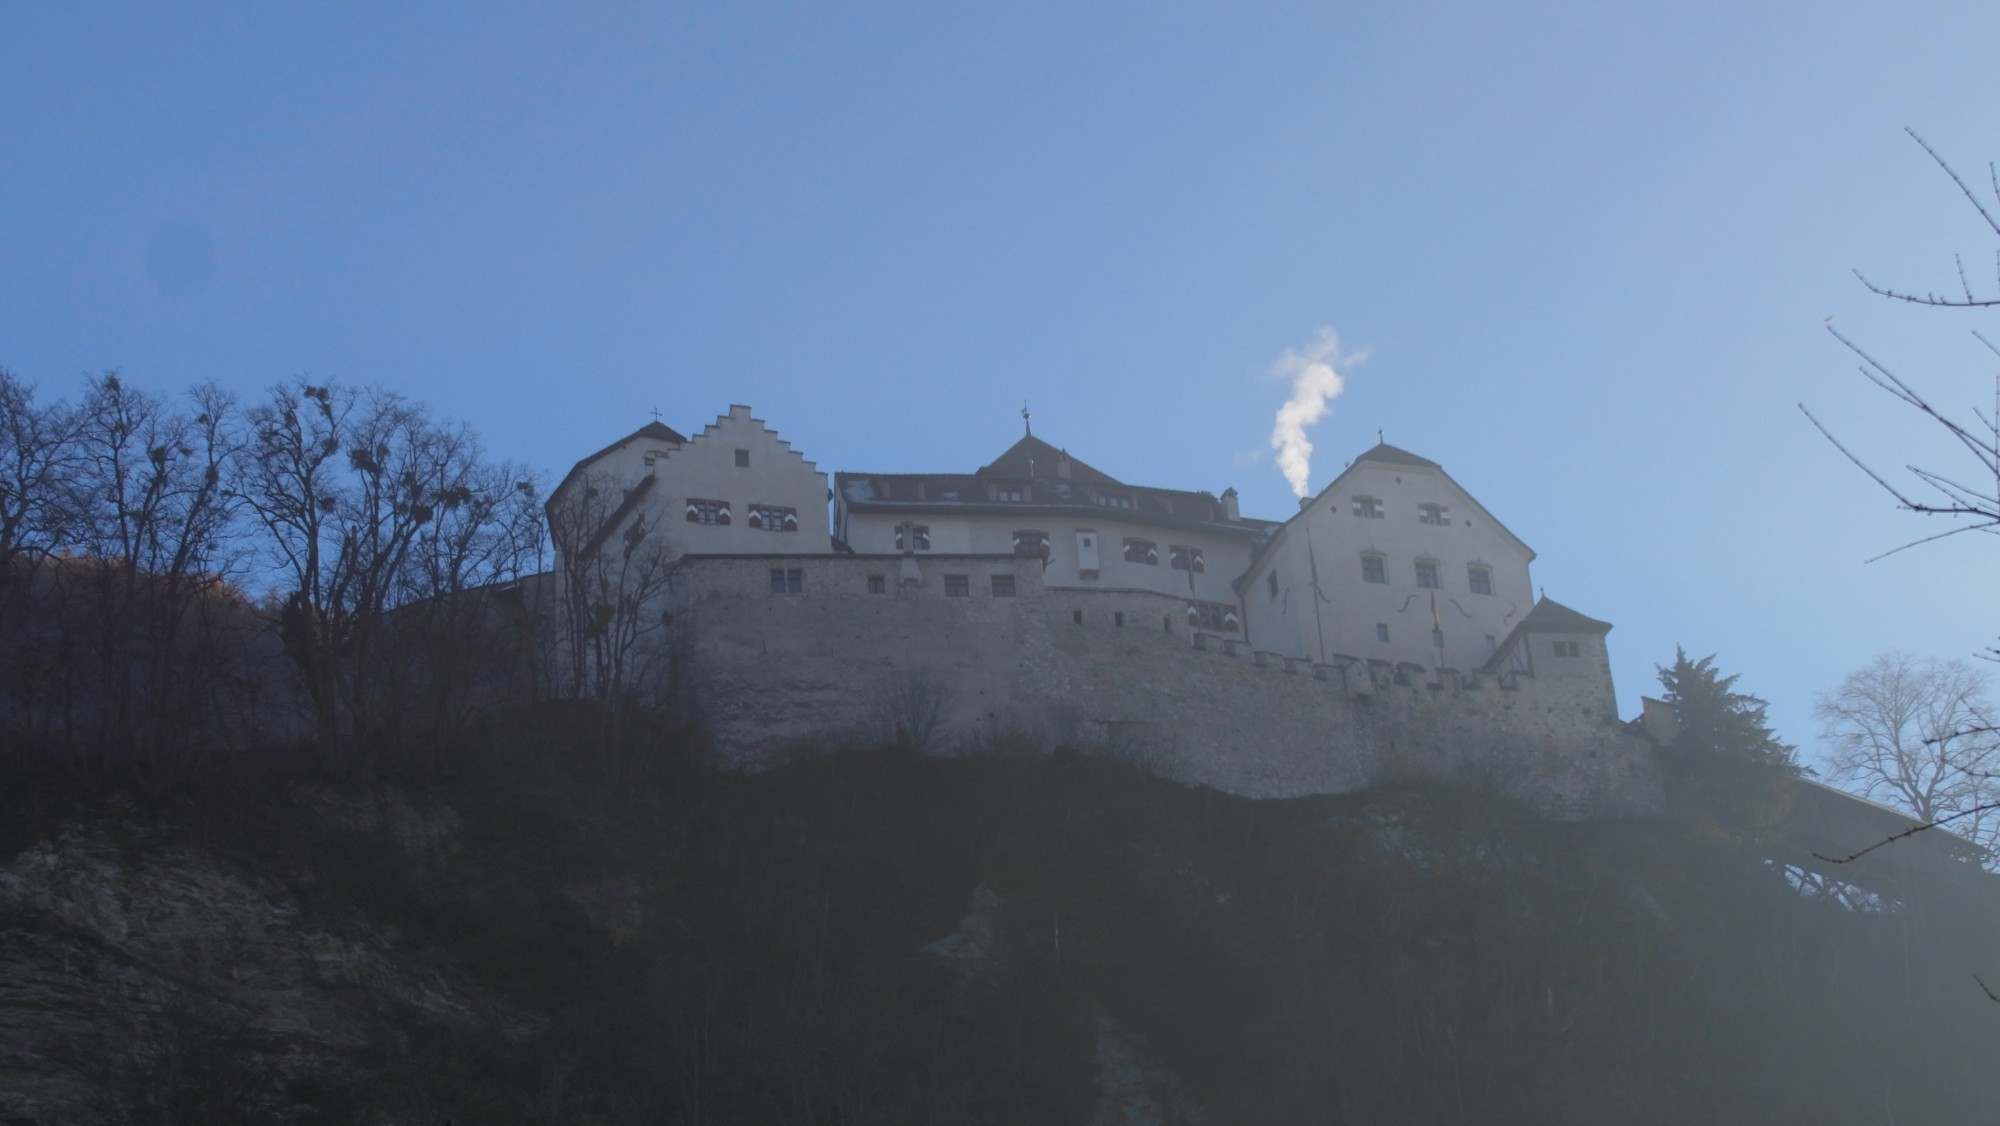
(151, 971)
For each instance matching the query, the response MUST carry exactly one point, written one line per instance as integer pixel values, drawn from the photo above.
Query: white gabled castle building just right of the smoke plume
(1393, 561)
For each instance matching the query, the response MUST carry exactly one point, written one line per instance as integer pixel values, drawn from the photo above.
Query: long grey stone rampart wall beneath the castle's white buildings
(783, 673)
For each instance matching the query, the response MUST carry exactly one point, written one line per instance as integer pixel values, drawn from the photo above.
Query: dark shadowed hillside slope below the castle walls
(993, 939)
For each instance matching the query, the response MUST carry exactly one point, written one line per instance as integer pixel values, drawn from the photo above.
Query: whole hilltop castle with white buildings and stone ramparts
(1387, 629)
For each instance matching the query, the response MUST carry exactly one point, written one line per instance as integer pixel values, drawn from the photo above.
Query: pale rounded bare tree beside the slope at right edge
(1915, 733)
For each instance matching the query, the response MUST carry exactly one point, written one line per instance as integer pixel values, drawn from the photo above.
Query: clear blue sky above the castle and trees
(1589, 251)
